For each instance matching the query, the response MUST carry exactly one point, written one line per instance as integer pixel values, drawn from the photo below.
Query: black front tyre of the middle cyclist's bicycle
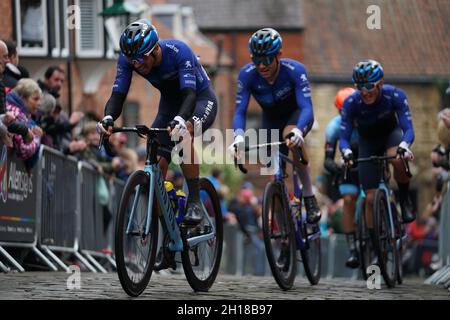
(284, 279)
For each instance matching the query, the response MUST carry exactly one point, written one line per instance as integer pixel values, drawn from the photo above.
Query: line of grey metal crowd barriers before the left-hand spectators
(57, 205)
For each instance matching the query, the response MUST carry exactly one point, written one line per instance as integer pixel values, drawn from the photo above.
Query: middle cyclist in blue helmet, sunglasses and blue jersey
(281, 88)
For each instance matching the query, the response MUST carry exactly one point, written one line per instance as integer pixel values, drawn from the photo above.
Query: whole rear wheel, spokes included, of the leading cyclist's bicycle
(201, 261)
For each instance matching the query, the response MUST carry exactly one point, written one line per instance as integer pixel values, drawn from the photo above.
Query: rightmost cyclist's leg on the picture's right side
(400, 175)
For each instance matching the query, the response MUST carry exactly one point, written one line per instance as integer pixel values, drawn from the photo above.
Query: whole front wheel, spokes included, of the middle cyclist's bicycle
(279, 238)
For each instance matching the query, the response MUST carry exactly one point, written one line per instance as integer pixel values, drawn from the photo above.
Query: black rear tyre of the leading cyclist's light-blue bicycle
(194, 281)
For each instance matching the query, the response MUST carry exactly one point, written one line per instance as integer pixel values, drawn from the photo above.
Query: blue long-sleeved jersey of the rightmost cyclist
(378, 120)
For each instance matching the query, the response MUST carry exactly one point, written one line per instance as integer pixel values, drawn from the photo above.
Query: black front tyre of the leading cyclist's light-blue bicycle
(132, 288)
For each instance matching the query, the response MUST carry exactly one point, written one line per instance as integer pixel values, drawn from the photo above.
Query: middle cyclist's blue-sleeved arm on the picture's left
(242, 99)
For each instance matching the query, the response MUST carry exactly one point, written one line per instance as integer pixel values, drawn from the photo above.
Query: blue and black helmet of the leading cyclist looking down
(138, 38)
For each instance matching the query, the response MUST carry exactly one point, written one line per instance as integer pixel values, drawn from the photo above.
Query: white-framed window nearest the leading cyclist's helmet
(90, 36)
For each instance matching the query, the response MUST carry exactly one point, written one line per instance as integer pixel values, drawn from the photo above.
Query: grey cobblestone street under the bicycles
(46, 285)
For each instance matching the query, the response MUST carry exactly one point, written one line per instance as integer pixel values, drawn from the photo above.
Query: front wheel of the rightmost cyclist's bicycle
(385, 244)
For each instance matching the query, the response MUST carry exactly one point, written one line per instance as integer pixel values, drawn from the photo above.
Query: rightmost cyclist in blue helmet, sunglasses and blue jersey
(381, 115)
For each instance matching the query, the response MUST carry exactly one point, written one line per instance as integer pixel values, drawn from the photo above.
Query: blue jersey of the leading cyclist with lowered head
(179, 69)
